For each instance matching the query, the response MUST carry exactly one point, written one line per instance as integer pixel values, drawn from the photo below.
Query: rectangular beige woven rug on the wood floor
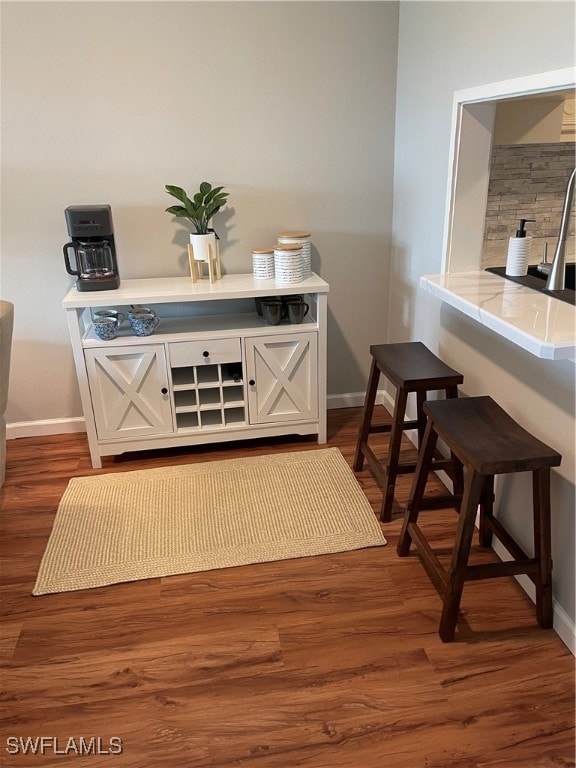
(138, 525)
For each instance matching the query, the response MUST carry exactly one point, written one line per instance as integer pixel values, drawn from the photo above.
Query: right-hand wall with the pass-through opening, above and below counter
(445, 47)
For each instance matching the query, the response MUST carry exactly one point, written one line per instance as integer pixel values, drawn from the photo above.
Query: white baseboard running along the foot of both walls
(564, 626)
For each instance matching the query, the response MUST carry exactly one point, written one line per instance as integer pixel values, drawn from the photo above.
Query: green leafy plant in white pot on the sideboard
(199, 210)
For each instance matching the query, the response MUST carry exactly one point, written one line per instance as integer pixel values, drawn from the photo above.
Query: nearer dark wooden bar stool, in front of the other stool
(488, 442)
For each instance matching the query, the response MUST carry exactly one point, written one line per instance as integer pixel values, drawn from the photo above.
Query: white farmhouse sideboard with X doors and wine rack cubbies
(212, 371)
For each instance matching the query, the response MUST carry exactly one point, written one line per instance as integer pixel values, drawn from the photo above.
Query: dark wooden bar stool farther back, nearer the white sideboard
(410, 367)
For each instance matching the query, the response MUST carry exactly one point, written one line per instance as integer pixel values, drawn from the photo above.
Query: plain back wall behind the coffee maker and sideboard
(289, 105)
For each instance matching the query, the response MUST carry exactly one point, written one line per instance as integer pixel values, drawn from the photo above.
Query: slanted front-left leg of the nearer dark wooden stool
(473, 485)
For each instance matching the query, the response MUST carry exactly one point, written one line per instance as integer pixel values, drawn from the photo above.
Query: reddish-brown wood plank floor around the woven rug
(317, 662)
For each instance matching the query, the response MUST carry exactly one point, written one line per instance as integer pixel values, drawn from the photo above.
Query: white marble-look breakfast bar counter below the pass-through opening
(542, 325)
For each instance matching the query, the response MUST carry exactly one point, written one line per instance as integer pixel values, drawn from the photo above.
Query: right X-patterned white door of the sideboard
(282, 377)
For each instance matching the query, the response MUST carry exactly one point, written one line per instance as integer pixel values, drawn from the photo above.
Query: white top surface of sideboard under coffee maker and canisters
(181, 289)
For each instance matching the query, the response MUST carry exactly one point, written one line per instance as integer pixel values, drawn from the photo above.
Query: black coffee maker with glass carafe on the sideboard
(90, 227)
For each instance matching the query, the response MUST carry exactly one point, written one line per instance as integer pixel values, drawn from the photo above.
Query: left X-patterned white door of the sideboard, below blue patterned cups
(130, 391)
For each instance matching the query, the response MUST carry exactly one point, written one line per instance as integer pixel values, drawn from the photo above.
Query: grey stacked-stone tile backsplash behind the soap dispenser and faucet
(527, 181)
